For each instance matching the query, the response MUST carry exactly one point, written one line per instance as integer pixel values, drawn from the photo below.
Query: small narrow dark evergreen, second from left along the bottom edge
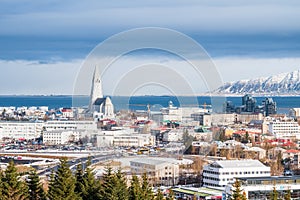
(36, 191)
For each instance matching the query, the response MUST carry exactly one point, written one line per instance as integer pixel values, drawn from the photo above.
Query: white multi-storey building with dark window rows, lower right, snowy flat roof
(220, 173)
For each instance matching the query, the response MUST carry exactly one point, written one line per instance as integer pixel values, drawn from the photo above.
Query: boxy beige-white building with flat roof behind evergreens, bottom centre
(159, 171)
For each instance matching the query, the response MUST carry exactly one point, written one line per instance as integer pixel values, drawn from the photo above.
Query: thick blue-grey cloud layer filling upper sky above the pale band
(62, 30)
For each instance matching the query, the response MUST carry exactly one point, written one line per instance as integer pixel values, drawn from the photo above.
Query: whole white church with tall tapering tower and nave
(101, 107)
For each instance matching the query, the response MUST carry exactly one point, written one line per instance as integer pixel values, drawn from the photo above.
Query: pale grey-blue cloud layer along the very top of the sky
(77, 18)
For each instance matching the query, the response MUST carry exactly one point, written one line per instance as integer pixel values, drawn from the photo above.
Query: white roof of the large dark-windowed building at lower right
(239, 163)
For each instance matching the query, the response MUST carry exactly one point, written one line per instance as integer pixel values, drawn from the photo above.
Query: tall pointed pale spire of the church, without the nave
(96, 91)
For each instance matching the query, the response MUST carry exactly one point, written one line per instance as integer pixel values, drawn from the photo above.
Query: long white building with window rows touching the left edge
(20, 130)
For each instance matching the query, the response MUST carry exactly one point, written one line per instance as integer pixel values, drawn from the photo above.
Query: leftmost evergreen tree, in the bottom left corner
(12, 187)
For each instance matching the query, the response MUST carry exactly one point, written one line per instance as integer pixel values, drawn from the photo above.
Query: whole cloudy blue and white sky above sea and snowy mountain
(43, 44)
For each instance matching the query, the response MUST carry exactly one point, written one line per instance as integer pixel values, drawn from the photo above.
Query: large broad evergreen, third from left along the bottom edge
(63, 184)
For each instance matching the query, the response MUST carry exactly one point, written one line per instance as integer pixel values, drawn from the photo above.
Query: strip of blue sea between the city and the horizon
(136, 103)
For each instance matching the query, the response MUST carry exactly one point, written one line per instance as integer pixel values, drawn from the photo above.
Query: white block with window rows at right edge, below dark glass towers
(284, 129)
